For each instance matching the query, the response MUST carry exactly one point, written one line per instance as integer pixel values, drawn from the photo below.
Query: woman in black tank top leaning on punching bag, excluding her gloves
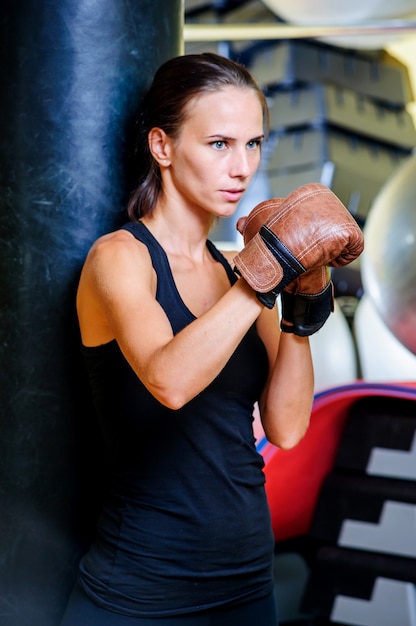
(179, 350)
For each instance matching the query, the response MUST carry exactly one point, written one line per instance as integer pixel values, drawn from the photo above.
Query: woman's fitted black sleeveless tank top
(186, 525)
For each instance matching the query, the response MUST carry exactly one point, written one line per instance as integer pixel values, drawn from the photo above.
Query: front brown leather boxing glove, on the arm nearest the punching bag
(307, 230)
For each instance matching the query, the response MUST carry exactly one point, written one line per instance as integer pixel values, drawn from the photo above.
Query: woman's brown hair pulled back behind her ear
(164, 106)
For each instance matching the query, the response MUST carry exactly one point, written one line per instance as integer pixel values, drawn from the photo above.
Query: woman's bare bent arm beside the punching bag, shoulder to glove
(116, 300)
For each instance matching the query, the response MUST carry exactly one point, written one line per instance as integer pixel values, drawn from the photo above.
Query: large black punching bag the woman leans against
(71, 75)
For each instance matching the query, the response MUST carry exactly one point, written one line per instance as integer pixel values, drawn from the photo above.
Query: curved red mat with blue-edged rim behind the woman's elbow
(294, 477)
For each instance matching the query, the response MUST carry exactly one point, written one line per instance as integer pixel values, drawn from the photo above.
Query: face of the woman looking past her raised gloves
(217, 152)
